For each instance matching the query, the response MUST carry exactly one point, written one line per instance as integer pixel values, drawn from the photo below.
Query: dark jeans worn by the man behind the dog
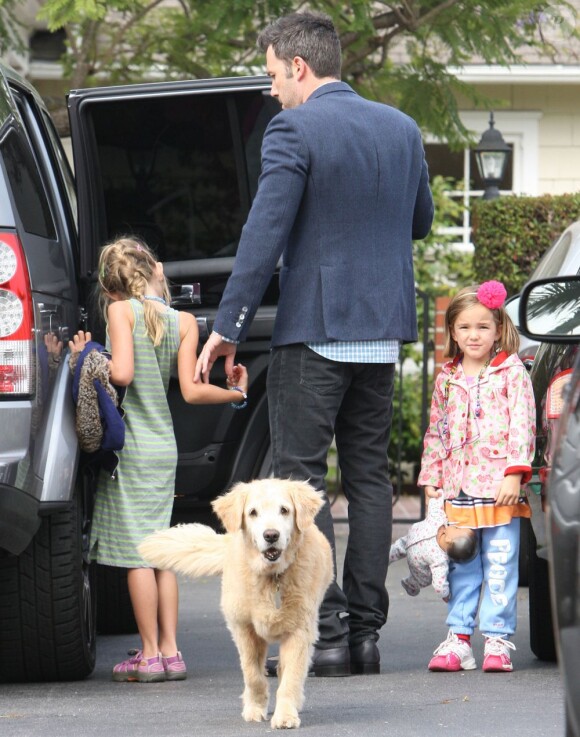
(311, 400)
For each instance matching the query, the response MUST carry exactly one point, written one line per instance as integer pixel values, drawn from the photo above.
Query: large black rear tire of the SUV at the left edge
(47, 604)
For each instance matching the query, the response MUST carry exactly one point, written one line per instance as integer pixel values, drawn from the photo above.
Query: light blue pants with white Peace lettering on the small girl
(493, 574)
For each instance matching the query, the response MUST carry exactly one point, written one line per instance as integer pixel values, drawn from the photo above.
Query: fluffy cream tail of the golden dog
(195, 550)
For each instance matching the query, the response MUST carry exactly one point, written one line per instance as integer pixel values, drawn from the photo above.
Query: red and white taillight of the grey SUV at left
(16, 319)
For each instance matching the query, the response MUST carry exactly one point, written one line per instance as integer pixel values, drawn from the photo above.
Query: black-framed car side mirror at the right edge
(549, 310)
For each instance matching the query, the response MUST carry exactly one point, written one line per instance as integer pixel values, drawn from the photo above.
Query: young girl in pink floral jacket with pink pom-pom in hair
(477, 454)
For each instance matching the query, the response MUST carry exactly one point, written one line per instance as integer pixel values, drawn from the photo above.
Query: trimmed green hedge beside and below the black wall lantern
(511, 234)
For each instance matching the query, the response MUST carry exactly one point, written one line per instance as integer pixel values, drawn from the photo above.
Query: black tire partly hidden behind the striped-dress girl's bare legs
(114, 609)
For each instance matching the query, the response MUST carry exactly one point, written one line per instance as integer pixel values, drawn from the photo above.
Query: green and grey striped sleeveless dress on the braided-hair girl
(139, 500)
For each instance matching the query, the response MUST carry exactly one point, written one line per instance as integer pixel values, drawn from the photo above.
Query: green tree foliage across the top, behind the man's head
(202, 38)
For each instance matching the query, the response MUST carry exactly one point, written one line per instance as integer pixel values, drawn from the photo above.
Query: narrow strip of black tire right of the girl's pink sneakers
(542, 641)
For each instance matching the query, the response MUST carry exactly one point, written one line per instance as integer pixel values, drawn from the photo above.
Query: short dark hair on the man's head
(311, 36)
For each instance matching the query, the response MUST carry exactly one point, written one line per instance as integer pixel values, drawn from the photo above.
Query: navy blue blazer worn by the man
(344, 189)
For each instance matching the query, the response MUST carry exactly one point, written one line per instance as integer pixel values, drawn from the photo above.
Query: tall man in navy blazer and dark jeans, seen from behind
(343, 192)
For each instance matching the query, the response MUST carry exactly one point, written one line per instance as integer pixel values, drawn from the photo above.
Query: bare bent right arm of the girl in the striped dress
(199, 392)
